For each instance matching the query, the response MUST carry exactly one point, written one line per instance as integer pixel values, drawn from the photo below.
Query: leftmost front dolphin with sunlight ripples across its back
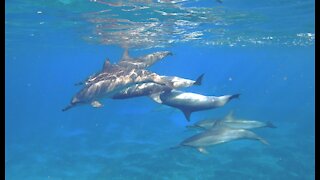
(113, 79)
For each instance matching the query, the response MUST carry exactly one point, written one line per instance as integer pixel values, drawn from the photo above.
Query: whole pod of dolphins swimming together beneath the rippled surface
(129, 78)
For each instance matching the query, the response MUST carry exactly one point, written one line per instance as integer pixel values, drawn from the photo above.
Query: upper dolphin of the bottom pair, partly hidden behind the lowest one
(232, 122)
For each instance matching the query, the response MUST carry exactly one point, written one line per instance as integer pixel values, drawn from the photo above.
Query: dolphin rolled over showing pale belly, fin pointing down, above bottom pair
(191, 102)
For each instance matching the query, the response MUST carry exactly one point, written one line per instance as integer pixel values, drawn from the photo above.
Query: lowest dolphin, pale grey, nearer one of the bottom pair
(217, 135)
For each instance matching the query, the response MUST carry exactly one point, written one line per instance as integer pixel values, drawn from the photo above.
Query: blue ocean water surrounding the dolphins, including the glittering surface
(263, 50)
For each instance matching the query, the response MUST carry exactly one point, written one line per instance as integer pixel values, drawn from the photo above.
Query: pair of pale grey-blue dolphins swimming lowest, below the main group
(222, 130)
